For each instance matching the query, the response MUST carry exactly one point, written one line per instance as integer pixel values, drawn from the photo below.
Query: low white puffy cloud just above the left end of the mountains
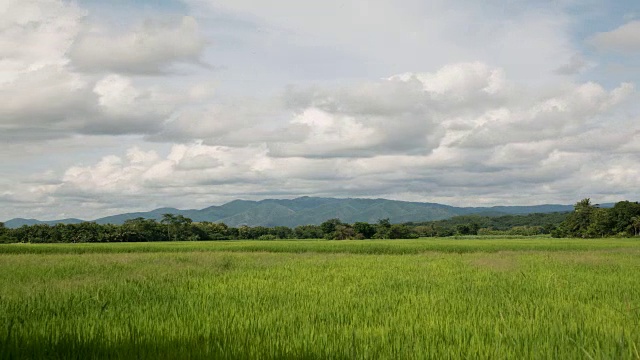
(185, 166)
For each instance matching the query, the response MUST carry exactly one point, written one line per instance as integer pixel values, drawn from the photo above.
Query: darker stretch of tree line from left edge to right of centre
(180, 228)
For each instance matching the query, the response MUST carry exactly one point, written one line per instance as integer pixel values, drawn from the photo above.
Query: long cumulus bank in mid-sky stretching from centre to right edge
(466, 105)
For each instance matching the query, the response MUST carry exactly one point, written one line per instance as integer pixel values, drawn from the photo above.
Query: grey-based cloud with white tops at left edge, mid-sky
(52, 102)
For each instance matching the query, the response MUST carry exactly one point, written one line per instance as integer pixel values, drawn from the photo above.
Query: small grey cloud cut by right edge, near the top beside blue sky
(624, 39)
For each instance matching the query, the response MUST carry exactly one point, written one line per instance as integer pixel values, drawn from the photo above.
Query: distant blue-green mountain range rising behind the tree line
(315, 210)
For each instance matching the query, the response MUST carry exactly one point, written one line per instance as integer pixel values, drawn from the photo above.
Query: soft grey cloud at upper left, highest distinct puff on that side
(150, 48)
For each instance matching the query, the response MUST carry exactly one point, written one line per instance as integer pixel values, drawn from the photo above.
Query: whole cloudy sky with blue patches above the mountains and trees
(117, 106)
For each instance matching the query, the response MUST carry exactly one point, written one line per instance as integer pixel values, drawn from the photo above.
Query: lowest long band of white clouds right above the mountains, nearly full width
(196, 174)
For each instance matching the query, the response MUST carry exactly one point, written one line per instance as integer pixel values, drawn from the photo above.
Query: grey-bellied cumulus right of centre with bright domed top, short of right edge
(400, 114)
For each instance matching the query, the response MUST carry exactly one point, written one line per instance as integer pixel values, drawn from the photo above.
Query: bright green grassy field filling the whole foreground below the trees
(386, 299)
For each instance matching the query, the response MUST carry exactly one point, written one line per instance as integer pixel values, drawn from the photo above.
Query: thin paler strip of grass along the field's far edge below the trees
(416, 246)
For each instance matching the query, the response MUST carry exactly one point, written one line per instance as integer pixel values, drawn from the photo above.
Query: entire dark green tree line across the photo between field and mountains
(586, 221)
